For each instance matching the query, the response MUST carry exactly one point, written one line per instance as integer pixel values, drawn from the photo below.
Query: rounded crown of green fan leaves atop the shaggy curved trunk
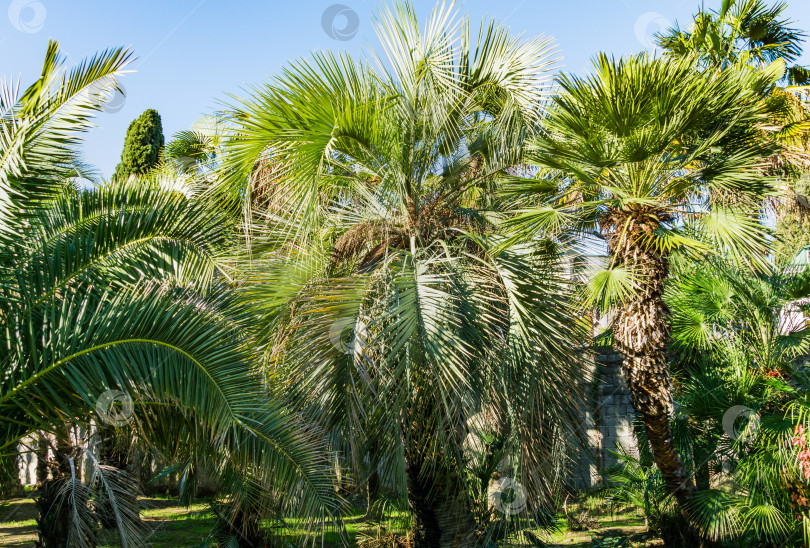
(651, 137)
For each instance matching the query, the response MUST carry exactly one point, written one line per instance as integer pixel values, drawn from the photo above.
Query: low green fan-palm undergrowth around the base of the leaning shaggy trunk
(735, 344)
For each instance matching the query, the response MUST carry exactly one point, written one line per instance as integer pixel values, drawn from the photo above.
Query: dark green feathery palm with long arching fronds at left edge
(120, 288)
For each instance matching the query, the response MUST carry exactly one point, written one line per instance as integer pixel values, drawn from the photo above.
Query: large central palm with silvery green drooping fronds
(394, 313)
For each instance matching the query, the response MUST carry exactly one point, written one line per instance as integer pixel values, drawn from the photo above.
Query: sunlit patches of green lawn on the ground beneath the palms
(174, 526)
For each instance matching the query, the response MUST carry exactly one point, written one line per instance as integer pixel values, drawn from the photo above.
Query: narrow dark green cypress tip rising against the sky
(142, 146)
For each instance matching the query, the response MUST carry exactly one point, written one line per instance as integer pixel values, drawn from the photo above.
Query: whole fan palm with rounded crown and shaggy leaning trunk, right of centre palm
(646, 155)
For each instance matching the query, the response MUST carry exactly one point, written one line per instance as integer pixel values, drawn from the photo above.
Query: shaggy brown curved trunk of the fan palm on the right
(641, 333)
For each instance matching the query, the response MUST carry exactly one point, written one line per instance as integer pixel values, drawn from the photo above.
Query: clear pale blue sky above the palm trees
(193, 53)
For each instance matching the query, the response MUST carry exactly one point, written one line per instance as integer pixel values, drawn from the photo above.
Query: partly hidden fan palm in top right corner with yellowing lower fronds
(749, 33)
